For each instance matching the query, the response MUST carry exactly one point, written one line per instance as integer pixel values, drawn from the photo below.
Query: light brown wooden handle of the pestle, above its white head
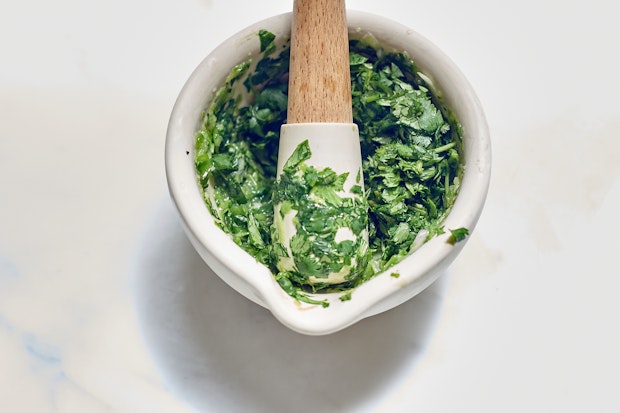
(319, 74)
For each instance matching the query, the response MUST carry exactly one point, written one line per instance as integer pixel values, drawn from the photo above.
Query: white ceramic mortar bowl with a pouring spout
(250, 278)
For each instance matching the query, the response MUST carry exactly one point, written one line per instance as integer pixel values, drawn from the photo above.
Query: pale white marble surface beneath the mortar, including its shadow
(104, 306)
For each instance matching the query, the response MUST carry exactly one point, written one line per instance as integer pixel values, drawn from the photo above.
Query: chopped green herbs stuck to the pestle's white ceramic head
(320, 208)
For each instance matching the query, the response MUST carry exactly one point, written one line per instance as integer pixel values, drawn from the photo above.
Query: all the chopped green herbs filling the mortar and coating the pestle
(411, 164)
